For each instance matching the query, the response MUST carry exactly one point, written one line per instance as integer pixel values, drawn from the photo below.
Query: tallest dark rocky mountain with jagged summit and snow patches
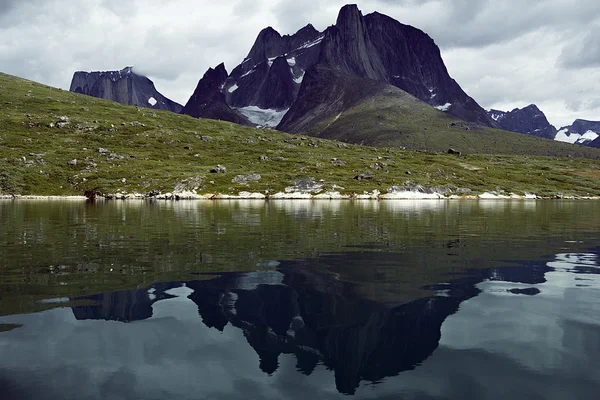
(281, 79)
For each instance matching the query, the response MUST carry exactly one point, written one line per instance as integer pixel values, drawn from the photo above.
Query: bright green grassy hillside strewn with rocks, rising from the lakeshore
(54, 142)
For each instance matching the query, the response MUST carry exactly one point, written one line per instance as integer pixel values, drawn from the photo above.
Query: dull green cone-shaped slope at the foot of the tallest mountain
(394, 118)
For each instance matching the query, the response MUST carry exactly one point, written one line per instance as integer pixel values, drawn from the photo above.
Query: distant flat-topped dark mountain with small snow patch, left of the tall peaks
(124, 86)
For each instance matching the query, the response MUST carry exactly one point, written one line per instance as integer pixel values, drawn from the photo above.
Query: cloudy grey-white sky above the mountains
(504, 54)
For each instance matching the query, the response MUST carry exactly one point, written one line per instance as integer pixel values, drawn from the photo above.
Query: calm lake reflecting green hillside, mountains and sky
(300, 299)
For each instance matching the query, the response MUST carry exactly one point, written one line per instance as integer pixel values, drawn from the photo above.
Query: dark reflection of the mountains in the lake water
(319, 319)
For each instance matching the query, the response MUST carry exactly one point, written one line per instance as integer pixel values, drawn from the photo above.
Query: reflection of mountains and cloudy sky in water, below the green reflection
(525, 331)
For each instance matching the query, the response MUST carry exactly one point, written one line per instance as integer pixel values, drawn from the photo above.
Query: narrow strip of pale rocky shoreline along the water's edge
(376, 195)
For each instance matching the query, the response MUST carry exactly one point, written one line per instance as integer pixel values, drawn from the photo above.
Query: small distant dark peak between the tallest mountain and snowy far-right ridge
(529, 120)
